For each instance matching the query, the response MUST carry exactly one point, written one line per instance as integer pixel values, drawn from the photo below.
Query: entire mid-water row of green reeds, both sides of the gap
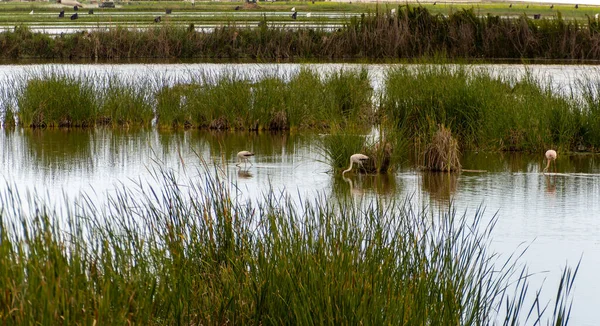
(481, 109)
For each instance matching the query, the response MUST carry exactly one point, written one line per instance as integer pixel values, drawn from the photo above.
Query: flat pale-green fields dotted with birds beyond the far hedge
(13, 13)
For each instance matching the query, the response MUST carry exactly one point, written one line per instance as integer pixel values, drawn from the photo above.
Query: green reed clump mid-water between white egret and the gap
(269, 102)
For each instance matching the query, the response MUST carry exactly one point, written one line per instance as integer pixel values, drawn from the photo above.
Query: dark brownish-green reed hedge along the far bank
(412, 32)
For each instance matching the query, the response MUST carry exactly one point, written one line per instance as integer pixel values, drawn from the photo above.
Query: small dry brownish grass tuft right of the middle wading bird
(442, 152)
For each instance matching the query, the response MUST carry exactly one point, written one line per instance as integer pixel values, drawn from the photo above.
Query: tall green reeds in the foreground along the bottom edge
(185, 252)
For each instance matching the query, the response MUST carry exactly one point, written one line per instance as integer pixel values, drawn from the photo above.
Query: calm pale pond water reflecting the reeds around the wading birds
(557, 217)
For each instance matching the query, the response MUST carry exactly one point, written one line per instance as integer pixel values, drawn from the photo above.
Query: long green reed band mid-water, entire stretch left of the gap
(232, 101)
